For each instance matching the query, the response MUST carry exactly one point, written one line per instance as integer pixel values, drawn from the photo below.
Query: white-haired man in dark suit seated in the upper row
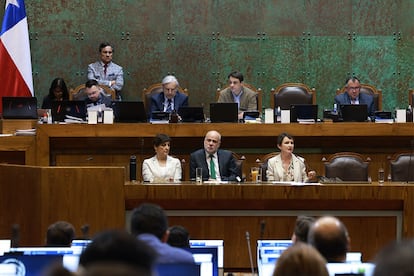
(170, 98)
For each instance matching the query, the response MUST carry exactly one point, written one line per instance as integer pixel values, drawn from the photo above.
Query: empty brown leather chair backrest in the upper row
(292, 93)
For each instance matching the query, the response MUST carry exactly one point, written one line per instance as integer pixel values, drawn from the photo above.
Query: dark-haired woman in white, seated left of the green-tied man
(161, 168)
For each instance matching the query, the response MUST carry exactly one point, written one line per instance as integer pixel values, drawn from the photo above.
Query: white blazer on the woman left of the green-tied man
(153, 172)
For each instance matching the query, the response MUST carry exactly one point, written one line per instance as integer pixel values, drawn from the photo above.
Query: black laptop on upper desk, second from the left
(60, 110)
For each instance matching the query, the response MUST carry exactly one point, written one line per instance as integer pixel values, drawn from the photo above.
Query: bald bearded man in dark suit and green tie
(216, 164)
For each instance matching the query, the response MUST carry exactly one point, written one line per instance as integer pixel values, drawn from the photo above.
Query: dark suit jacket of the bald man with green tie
(227, 164)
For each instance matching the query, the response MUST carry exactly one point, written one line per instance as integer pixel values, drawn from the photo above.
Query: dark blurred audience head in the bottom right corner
(396, 259)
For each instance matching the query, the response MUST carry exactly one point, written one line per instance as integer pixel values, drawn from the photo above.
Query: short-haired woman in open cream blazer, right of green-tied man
(286, 166)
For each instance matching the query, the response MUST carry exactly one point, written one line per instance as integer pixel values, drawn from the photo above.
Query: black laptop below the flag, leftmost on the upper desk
(19, 108)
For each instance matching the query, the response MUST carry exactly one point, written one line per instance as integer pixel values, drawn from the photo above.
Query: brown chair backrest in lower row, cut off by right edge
(402, 167)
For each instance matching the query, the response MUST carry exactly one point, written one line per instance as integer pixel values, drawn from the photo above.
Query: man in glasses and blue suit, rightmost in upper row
(352, 96)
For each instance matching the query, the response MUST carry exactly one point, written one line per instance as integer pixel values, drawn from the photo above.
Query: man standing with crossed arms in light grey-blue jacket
(105, 72)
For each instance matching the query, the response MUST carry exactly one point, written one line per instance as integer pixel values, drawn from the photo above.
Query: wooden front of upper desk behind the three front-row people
(66, 145)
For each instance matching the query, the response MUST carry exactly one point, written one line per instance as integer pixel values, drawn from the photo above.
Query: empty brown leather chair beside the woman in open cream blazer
(347, 166)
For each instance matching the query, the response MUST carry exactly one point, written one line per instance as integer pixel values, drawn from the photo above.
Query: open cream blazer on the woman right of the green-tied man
(275, 169)
